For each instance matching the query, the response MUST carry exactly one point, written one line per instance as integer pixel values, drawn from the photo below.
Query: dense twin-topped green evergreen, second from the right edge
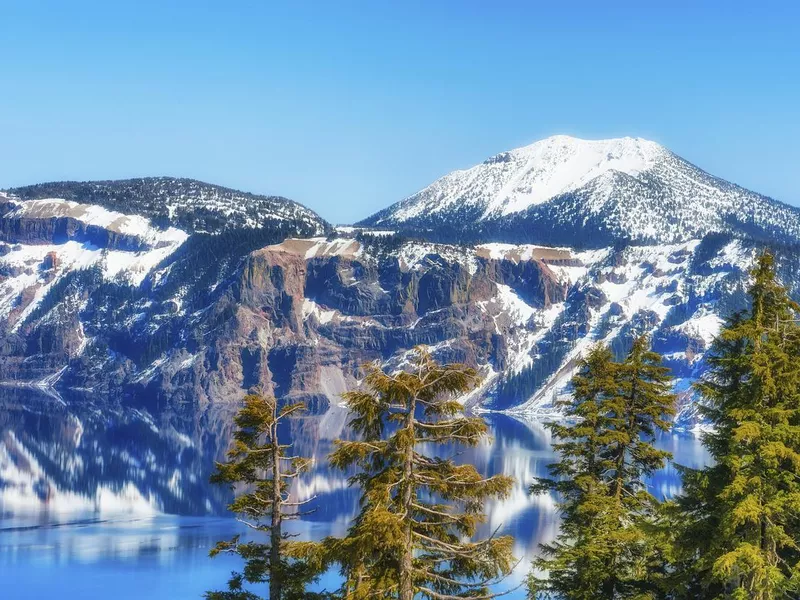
(606, 548)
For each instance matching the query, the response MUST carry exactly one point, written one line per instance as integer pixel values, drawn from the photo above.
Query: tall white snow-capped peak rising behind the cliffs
(569, 191)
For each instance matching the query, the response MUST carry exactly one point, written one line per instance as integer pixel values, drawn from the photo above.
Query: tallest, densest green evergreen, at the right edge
(742, 538)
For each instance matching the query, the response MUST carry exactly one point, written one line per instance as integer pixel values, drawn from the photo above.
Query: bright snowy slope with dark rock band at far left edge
(53, 254)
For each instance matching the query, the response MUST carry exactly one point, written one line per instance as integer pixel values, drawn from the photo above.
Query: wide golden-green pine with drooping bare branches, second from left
(417, 509)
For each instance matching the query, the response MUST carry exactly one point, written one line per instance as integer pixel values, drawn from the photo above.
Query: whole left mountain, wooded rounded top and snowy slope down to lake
(84, 282)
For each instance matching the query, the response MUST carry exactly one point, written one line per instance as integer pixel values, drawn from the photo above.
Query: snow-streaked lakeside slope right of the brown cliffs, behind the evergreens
(678, 294)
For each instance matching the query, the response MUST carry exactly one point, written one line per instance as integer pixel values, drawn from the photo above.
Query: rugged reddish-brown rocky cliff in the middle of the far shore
(302, 327)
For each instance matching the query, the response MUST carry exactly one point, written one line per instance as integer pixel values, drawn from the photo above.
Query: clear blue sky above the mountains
(350, 106)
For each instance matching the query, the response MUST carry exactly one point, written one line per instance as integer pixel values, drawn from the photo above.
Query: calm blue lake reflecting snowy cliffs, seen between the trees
(98, 503)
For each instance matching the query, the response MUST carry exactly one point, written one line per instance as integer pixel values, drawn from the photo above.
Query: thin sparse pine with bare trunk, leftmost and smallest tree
(259, 462)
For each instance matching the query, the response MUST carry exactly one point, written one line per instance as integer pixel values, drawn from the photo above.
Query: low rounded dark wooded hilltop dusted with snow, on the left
(188, 204)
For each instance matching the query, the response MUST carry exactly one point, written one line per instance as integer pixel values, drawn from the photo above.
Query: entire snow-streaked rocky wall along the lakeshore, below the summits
(107, 304)
